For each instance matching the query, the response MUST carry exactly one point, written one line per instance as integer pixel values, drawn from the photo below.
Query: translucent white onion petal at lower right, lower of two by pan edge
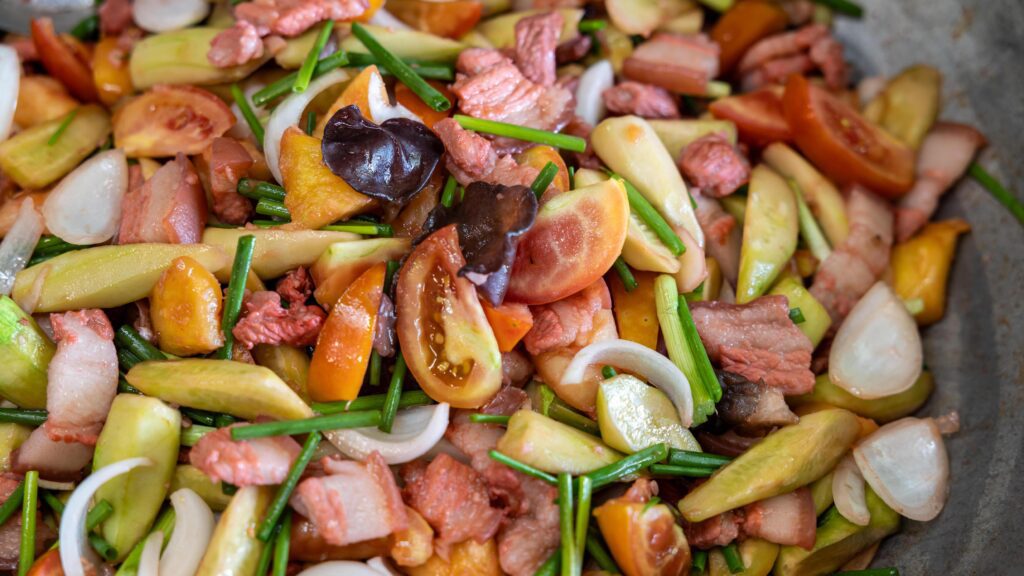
(907, 465)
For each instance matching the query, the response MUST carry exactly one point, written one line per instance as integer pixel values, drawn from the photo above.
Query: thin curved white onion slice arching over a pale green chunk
(651, 366)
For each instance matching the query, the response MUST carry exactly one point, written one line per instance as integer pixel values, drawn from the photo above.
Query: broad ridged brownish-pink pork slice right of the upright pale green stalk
(758, 342)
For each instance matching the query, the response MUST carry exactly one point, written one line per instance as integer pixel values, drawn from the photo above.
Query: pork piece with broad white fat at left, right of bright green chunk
(82, 378)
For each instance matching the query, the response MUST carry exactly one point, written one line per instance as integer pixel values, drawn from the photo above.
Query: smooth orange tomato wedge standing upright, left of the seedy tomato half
(344, 349)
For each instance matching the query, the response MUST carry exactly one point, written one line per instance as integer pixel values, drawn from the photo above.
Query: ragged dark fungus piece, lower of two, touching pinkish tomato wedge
(490, 220)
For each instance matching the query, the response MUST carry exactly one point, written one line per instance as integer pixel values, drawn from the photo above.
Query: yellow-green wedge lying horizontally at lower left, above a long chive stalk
(220, 386)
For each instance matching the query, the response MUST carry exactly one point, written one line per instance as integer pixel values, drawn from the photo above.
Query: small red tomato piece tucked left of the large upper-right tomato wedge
(758, 116)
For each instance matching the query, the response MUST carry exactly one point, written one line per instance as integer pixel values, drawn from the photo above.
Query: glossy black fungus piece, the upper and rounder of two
(392, 161)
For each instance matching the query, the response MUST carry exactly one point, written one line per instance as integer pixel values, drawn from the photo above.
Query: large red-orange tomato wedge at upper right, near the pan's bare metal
(842, 144)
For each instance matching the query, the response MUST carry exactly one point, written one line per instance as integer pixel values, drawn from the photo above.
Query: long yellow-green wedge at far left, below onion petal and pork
(105, 277)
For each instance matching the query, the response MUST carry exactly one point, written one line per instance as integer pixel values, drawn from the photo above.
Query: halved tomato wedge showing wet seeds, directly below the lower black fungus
(447, 342)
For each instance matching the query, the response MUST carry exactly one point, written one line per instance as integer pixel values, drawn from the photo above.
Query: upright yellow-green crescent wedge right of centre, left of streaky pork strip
(771, 230)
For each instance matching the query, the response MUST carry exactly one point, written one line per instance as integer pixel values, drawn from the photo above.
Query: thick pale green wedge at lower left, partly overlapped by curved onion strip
(137, 426)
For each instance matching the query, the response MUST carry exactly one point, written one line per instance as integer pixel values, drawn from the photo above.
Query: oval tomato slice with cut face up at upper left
(167, 120)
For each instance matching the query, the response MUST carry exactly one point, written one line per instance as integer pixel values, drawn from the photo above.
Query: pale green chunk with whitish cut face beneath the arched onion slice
(633, 417)
